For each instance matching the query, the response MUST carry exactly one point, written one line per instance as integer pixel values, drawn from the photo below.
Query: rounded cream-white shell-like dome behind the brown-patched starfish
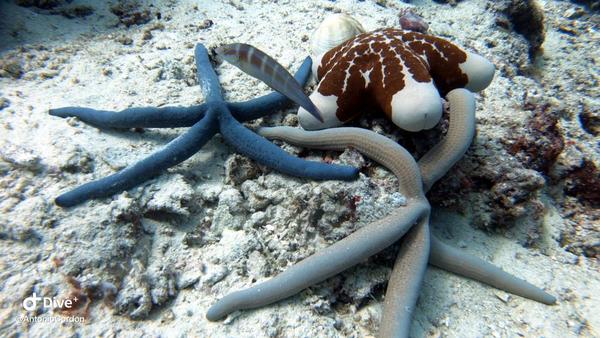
(333, 31)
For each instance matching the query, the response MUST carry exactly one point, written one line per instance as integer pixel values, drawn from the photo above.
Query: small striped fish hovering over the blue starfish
(256, 63)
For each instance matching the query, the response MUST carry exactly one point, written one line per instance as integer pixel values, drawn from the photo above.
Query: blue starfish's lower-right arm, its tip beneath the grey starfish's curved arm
(266, 153)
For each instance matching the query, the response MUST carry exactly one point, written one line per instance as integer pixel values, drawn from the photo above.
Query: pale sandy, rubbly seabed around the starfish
(150, 261)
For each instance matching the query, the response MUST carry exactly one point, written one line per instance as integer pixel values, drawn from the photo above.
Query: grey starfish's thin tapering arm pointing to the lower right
(461, 263)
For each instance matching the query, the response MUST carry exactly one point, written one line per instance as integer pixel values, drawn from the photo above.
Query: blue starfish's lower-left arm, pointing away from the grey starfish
(173, 153)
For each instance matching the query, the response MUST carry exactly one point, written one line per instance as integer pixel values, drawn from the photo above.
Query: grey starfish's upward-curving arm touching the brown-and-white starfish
(437, 161)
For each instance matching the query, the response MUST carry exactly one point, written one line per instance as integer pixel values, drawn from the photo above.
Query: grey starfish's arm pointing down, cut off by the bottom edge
(405, 282)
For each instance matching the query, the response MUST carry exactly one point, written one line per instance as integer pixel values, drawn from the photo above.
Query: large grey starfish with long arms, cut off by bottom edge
(411, 223)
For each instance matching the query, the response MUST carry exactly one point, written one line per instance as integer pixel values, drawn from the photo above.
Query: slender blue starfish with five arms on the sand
(207, 119)
